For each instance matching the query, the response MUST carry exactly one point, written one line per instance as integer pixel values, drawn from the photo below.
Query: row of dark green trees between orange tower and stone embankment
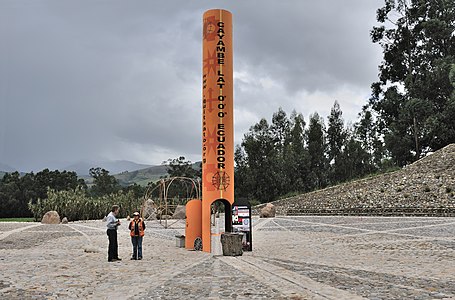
(289, 156)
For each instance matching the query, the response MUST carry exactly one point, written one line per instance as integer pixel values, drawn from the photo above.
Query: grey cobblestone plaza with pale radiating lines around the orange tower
(306, 257)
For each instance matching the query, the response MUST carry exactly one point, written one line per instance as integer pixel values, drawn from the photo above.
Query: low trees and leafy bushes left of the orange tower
(32, 195)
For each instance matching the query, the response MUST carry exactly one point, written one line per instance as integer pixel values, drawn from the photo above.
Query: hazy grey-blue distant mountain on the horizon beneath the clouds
(114, 167)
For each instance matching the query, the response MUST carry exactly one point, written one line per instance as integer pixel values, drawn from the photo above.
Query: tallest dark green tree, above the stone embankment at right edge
(413, 95)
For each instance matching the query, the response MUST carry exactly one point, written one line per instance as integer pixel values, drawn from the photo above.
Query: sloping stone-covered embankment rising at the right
(424, 188)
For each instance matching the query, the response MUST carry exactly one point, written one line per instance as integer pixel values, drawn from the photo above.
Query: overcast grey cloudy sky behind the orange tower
(121, 80)
